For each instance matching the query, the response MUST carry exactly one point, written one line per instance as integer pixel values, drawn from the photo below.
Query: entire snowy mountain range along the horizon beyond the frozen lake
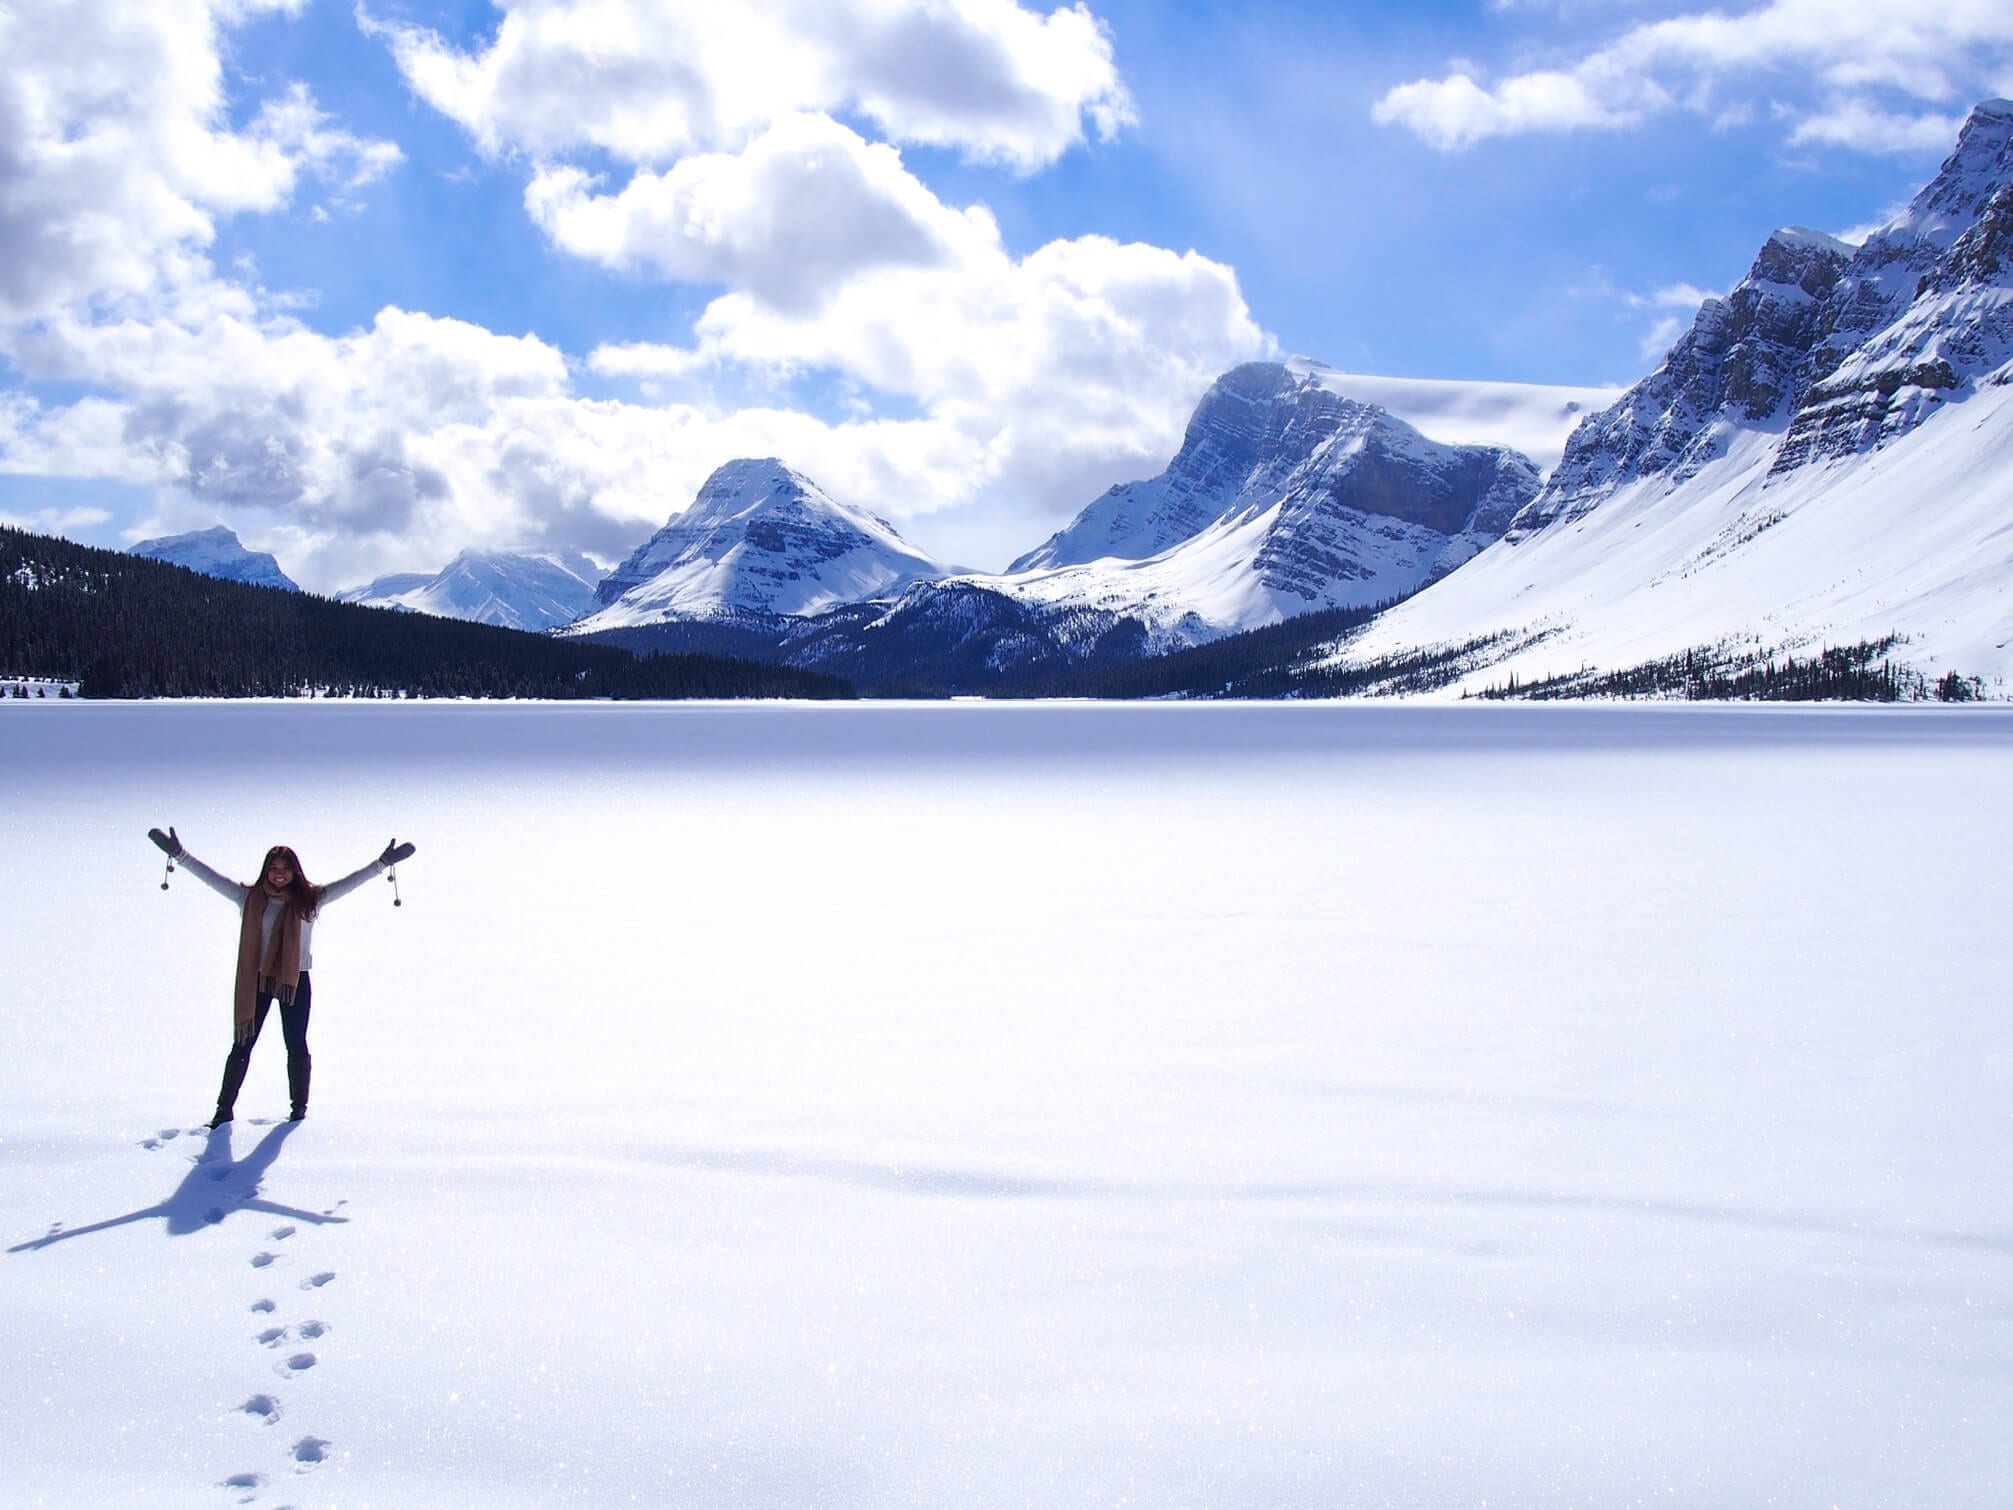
(1825, 458)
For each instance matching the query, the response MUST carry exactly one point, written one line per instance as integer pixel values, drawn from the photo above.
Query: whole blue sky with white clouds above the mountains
(377, 283)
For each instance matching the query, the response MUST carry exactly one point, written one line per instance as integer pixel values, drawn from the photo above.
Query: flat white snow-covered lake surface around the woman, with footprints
(1018, 1106)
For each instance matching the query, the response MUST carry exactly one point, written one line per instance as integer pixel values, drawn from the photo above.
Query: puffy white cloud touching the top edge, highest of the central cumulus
(657, 80)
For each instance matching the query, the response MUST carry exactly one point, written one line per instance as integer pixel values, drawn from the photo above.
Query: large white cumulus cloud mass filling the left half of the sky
(987, 377)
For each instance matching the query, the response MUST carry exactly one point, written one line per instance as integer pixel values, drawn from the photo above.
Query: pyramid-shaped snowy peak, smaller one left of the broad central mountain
(758, 541)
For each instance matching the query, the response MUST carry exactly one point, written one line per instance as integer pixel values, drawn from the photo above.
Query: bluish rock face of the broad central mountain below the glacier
(1346, 478)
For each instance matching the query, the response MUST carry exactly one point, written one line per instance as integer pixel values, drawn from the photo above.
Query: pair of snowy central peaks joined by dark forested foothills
(1287, 496)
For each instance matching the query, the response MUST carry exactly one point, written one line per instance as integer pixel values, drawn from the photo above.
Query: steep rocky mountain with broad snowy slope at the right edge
(1825, 458)
